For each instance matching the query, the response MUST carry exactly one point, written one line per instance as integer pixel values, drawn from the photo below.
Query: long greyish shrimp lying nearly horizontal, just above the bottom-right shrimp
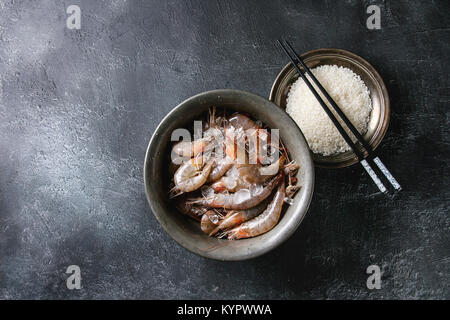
(242, 199)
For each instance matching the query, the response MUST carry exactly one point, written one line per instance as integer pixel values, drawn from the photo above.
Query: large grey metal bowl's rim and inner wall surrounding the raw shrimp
(186, 231)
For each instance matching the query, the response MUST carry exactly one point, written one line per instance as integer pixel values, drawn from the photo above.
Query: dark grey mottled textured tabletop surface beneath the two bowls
(78, 107)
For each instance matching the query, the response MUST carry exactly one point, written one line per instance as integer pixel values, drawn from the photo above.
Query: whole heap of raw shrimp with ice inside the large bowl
(231, 199)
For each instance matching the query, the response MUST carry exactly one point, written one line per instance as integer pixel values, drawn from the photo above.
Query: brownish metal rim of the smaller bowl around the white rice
(379, 119)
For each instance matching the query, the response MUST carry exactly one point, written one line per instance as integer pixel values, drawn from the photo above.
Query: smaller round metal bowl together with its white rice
(354, 85)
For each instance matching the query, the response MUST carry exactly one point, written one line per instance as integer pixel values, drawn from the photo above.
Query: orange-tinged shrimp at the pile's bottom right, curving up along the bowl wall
(262, 223)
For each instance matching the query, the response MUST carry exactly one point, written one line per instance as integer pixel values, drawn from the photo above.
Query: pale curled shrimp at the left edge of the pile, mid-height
(190, 176)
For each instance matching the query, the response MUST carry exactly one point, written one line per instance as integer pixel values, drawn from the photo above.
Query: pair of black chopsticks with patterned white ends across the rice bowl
(297, 60)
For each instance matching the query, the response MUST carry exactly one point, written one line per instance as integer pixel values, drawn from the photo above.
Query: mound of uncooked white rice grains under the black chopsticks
(348, 91)
